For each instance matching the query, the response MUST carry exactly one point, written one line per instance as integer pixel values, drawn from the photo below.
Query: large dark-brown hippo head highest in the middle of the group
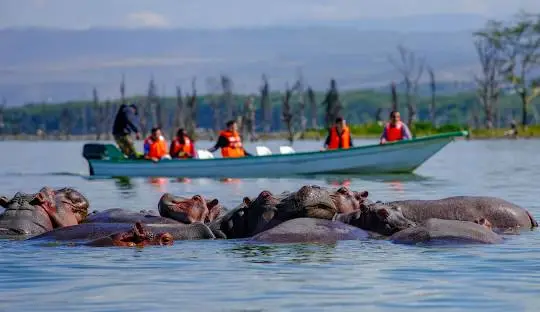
(310, 201)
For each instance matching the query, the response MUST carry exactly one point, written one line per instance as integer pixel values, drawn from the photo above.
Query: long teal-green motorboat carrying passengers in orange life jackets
(106, 160)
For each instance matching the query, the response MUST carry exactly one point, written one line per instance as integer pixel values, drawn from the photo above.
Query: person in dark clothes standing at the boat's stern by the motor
(126, 123)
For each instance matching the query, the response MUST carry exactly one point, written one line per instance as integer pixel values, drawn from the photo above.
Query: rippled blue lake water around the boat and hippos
(233, 276)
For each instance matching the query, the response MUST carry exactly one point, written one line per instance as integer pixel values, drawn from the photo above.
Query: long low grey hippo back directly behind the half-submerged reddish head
(90, 231)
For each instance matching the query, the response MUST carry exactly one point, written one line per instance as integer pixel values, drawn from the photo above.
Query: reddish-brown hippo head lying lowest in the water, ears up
(137, 236)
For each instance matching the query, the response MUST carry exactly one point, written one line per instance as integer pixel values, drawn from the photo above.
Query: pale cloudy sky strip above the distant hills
(82, 14)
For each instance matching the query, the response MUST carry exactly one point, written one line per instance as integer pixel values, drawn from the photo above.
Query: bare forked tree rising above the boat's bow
(411, 68)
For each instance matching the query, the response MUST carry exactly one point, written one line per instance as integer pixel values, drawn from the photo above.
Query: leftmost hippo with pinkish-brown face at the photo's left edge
(32, 214)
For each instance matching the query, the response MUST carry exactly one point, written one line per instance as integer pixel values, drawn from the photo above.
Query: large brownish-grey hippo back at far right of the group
(502, 214)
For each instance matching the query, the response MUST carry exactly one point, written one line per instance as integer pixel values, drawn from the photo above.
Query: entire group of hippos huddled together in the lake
(310, 214)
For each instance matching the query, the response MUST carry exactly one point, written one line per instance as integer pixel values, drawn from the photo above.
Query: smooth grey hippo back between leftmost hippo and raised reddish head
(119, 215)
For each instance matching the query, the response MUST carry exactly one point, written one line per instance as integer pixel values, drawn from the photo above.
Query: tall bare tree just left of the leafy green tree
(488, 81)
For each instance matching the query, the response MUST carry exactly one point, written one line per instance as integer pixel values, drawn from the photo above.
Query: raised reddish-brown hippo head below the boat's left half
(182, 209)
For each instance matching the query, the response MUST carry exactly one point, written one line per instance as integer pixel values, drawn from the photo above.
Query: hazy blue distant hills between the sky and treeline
(39, 64)
